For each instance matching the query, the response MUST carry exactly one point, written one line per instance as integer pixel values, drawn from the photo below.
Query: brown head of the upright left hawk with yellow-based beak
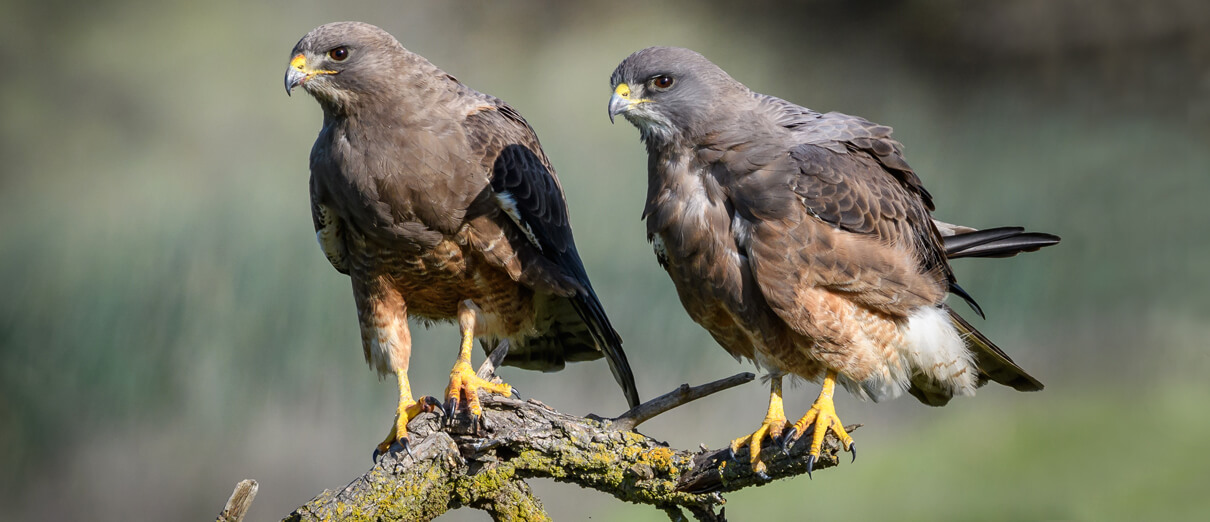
(341, 62)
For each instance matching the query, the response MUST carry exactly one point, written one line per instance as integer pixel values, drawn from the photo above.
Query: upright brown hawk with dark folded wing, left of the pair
(439, 204)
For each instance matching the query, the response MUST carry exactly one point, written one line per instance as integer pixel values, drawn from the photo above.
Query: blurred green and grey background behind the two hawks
(169, 326)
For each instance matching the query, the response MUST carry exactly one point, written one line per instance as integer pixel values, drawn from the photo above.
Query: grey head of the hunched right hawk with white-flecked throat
(672, 93)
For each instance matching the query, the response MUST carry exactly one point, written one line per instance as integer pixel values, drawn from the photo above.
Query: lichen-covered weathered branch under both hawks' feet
(454, 463)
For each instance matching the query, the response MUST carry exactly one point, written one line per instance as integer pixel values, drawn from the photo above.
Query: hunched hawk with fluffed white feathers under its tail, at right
(804, 242)
